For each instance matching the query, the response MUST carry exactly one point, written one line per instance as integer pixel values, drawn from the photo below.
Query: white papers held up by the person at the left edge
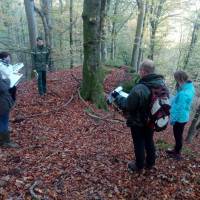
(11, 72)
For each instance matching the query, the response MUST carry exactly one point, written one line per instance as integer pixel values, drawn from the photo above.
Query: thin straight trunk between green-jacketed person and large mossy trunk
(71, 34)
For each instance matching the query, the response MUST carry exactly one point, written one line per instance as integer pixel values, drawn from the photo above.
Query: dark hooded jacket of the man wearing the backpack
(137, 104)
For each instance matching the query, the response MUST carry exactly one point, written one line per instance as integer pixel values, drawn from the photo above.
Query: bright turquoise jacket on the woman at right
(181, 103)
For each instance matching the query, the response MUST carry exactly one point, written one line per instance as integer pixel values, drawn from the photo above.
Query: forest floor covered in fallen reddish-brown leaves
(71, 150)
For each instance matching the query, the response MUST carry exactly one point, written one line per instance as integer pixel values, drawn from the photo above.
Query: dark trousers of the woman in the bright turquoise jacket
(178, 129)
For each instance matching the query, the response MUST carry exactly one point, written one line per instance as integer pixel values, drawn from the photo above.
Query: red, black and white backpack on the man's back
(159, 109)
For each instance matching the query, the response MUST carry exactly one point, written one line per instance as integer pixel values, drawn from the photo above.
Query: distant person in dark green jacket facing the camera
(40, 57)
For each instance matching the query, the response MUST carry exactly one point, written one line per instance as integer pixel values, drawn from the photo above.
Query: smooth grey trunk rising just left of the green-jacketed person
(32, 27)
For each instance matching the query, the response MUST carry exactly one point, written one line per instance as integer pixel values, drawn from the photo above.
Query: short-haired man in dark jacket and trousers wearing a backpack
(137, 106)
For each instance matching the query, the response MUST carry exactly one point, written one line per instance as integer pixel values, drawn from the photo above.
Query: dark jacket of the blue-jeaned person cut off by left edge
(6, 101)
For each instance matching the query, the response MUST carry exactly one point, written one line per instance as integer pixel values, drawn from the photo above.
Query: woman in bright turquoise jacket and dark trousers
(180, 110)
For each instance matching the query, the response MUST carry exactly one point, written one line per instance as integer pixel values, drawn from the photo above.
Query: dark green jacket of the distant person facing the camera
(40, 58)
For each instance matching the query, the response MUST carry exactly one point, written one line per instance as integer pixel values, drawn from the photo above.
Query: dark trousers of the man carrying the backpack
(143, 143)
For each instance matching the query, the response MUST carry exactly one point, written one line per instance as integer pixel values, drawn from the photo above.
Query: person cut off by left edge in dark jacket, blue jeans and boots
(6, 103)
